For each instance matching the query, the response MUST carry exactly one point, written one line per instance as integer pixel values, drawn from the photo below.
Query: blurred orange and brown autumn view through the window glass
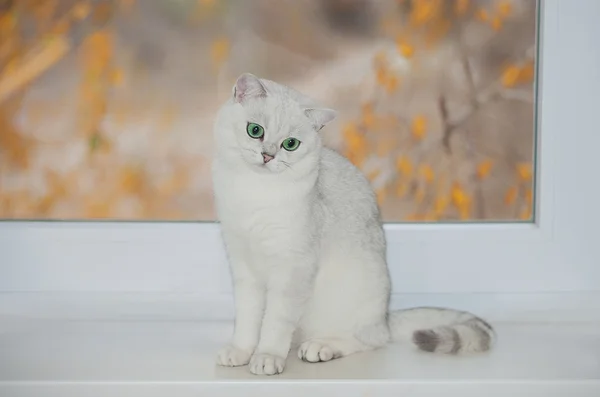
(106, 107)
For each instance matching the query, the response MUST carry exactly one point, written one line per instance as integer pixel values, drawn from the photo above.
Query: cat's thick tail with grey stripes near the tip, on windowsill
(440, 330)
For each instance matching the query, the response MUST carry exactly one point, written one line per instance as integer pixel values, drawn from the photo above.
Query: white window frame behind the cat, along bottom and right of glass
(495, 268)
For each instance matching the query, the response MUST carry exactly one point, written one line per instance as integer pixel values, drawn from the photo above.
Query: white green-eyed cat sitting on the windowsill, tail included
(306, 244)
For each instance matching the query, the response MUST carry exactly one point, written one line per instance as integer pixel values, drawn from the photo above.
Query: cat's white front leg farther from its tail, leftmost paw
(249, 297)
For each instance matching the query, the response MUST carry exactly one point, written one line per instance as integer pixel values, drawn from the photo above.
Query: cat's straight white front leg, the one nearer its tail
(288, 290)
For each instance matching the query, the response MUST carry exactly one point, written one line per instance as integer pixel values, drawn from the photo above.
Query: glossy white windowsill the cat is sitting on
(176, 358)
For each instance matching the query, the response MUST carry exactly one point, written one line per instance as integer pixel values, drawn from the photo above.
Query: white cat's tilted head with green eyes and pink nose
(271, 128)
